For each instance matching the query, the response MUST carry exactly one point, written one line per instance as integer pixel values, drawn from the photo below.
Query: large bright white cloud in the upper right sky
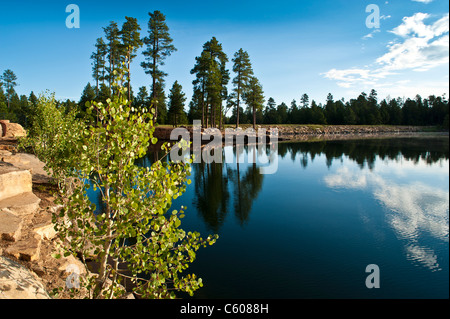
(420, 47)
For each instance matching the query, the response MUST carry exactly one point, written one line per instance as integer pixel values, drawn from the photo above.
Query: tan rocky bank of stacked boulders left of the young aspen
(27, 235)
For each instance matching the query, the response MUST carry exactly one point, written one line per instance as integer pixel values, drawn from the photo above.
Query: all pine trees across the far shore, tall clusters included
(211, 100)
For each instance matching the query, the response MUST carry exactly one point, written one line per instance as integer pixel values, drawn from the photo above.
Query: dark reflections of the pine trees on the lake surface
(225, 188)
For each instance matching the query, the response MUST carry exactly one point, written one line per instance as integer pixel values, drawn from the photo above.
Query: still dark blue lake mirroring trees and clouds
(331, 209)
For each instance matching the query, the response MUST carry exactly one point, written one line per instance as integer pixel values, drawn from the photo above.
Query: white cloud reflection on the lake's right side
(415, 210)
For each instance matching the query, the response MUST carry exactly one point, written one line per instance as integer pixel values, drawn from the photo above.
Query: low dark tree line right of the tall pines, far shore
(363, 110)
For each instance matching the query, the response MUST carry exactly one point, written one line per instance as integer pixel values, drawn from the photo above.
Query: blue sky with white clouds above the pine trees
(296, 46)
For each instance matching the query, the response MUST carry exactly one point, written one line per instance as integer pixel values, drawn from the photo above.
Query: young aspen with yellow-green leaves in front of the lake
(135, 227)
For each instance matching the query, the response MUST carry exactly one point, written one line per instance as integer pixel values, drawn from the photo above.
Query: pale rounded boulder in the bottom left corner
(17, 282)
